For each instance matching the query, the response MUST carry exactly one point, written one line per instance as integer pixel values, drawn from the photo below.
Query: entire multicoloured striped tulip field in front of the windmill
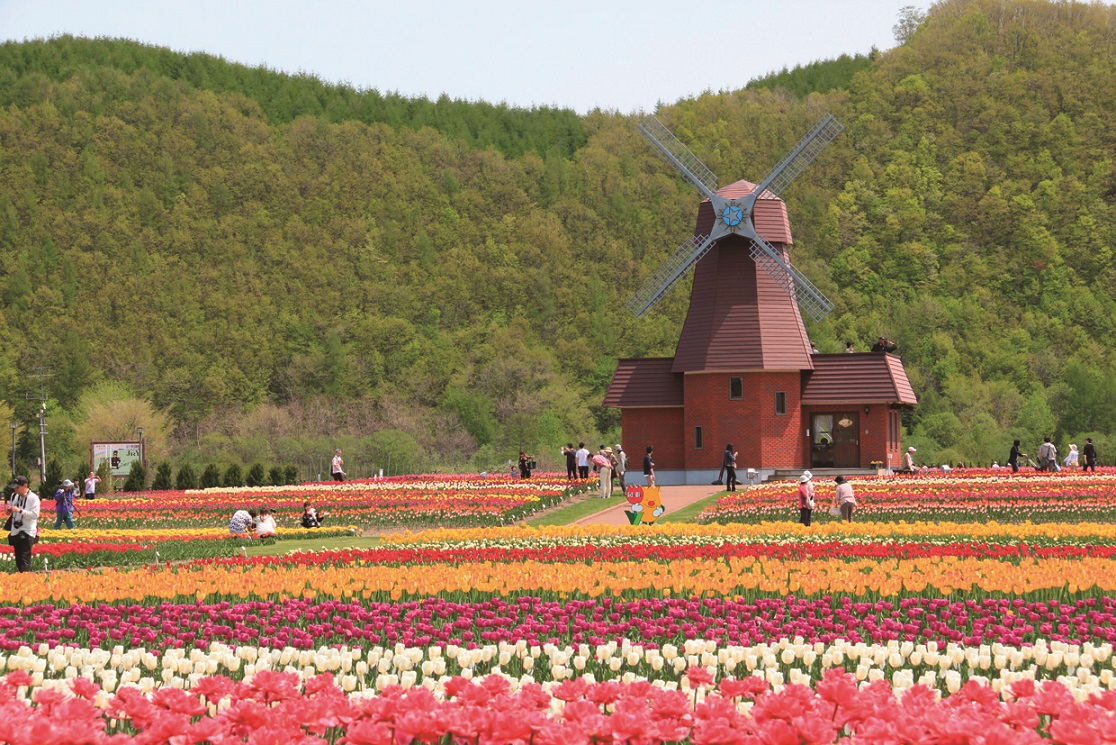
(975, 608)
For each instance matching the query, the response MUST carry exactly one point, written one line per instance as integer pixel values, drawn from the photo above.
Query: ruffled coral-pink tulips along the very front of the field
(274, 708)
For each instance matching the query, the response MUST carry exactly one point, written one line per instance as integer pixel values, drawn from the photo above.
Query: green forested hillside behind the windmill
(240, 246)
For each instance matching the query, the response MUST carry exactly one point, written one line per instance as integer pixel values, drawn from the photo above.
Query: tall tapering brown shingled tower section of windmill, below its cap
(739, 320)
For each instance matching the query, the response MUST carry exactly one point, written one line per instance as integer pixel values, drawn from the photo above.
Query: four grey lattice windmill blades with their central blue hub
(734, 217)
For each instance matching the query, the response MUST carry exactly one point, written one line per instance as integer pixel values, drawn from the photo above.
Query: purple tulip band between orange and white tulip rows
(307, 624)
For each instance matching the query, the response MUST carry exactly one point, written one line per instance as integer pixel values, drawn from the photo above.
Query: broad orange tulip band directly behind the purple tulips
(725, 577)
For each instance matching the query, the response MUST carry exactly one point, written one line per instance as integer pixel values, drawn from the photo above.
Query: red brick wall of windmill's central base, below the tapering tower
(764, 439)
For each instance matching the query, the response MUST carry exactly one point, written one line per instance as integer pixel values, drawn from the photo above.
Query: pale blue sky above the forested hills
(581, 54)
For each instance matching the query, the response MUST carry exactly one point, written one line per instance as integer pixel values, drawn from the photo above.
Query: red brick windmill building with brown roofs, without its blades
(744, 373)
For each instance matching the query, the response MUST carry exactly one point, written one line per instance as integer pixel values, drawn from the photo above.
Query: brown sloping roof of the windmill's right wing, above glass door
(859, 379)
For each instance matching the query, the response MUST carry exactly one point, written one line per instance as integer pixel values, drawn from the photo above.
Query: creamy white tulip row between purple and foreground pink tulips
(1085, 670)
